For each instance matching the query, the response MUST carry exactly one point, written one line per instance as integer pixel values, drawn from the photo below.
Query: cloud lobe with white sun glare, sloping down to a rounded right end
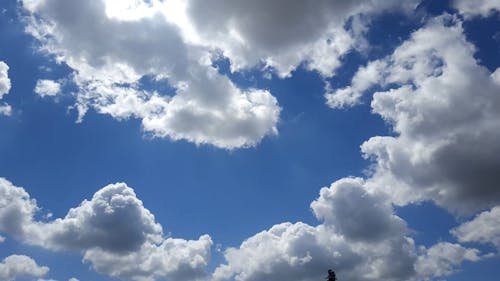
(111, 47)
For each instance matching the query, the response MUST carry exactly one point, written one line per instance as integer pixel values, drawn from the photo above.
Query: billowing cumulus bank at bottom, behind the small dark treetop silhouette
(360, 237)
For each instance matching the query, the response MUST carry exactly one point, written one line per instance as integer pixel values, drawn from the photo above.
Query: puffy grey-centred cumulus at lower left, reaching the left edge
(114, 232)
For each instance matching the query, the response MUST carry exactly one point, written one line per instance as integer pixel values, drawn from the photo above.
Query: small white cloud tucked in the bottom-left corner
(18, 266)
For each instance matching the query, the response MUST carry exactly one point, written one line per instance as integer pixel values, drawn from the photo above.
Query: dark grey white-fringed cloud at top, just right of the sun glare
(283, 34)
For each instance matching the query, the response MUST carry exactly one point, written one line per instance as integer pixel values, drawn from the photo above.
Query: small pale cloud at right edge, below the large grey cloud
(484, 228)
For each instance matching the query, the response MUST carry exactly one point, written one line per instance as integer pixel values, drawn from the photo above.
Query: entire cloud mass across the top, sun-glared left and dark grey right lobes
(111, 45)
